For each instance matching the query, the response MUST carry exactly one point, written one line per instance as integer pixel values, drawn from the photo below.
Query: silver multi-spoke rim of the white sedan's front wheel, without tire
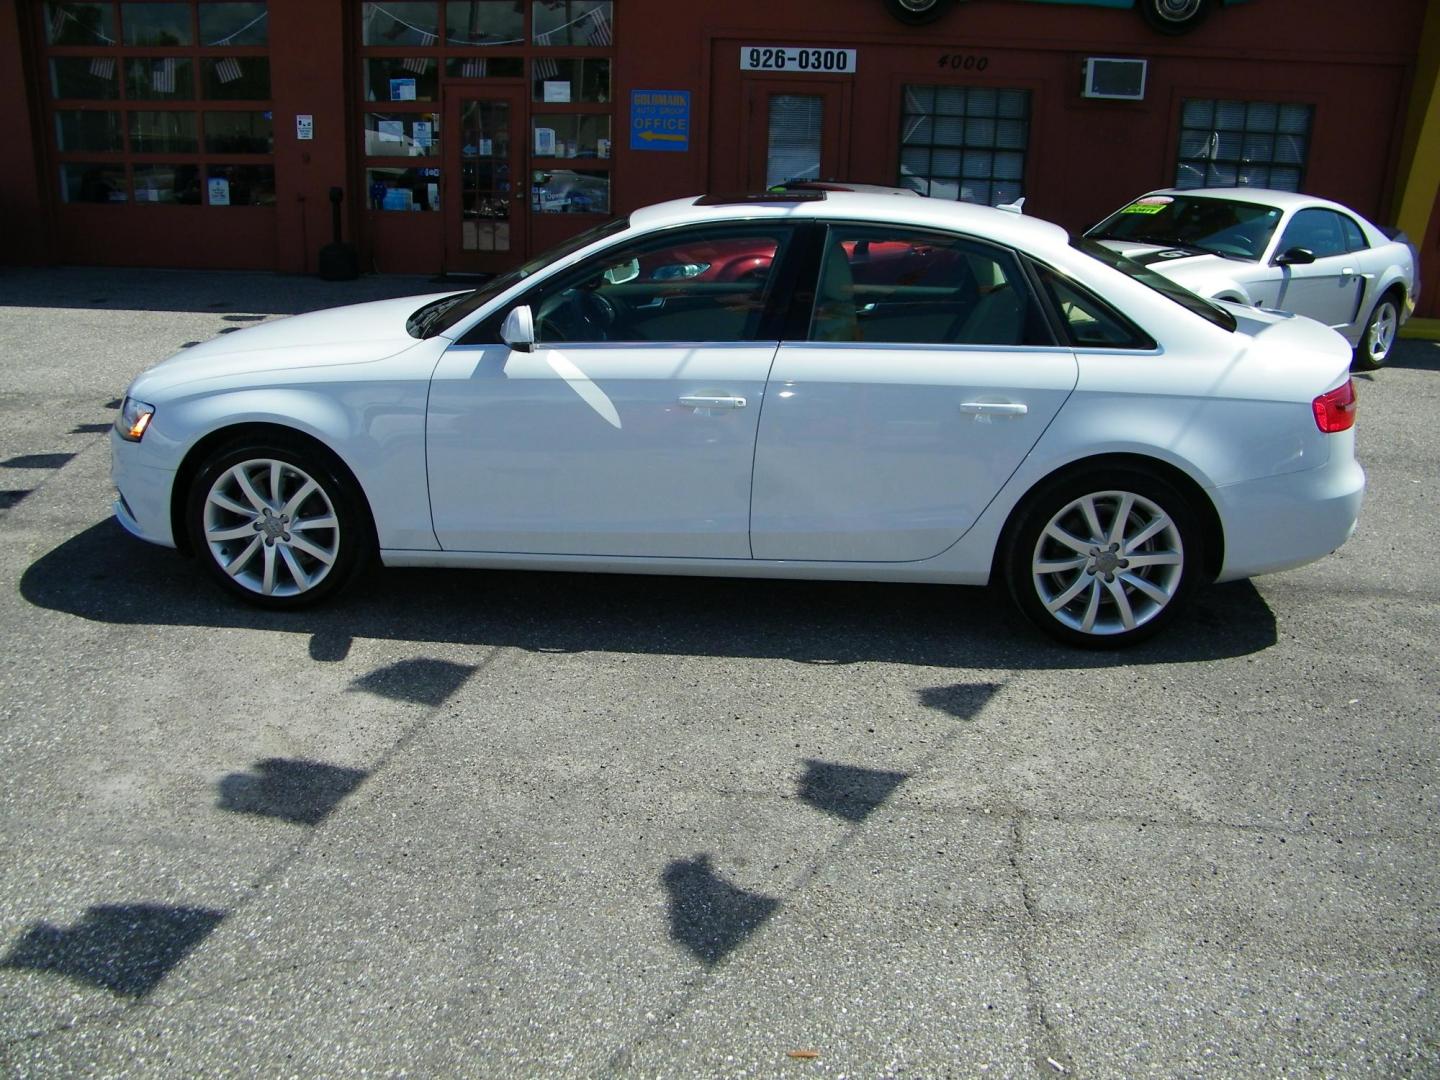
(271, 528)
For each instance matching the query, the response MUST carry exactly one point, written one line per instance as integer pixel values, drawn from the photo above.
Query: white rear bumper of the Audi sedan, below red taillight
(1278, 523)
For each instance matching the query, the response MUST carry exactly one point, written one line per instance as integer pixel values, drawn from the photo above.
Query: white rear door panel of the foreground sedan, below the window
(891, 456)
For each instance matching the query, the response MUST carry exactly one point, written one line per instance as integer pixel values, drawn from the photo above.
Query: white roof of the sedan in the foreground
(859, 207)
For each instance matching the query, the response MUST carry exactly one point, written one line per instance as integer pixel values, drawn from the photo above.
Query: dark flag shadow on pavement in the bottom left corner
(126, 950)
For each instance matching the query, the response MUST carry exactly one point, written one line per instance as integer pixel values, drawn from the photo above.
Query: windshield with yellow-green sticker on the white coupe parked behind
(1215, 227)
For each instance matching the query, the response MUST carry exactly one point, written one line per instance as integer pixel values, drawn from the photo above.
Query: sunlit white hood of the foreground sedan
(338, 336)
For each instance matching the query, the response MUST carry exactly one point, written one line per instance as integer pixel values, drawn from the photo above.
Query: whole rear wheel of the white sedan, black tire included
(1099, 578)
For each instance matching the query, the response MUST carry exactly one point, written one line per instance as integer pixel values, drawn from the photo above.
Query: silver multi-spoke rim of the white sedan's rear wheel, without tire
(1108, 562)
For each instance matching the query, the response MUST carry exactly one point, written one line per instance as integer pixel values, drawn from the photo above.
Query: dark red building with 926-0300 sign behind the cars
(469, 135)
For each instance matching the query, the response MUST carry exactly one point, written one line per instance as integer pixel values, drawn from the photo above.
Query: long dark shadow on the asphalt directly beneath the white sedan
(104, 575)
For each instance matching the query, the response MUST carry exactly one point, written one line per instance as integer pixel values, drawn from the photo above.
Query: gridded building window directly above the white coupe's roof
(1243, 145)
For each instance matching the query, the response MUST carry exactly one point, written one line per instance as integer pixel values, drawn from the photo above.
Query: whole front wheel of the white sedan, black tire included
(276, 562)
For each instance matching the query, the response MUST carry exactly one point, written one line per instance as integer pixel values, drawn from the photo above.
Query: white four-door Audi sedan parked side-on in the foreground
(819, 385)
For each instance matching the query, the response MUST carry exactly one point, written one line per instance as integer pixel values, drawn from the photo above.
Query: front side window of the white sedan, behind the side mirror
(708, 284)
